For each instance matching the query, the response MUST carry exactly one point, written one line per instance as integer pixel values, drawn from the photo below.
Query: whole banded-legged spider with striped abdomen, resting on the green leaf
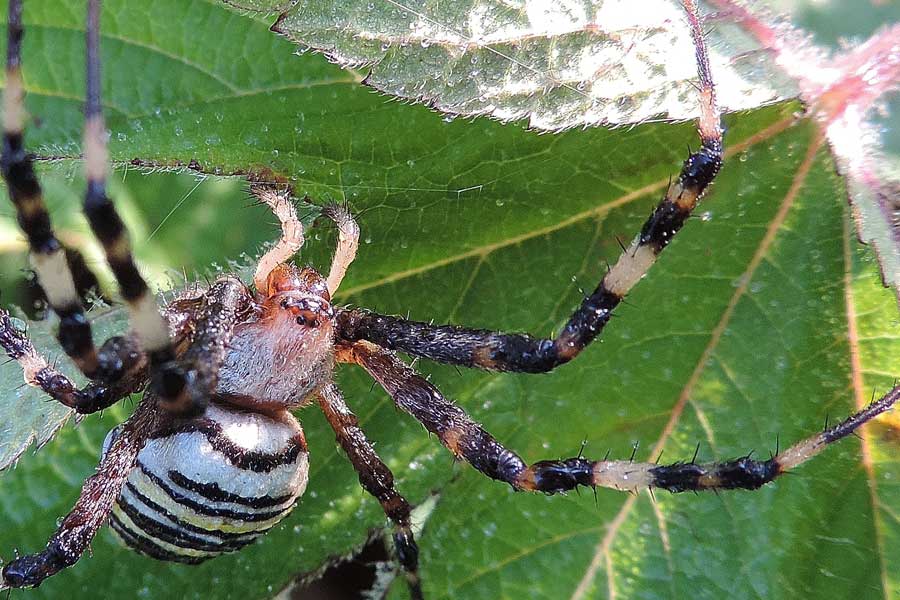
(212, 456)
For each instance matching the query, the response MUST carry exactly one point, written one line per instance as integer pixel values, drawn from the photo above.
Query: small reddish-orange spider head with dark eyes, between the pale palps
(302, 293)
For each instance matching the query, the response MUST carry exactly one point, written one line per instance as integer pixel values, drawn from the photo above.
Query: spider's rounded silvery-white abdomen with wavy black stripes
(211, 485)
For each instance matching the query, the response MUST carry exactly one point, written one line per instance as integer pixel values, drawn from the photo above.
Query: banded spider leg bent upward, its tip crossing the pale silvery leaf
(521, 352)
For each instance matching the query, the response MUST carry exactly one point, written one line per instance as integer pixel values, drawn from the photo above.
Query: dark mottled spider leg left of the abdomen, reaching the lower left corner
(100, 491)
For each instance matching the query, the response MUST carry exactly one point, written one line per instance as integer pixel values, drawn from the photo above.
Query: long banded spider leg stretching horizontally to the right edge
(470, 442)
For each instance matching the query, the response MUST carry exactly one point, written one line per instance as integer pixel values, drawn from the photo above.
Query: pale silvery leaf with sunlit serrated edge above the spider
(557, 64)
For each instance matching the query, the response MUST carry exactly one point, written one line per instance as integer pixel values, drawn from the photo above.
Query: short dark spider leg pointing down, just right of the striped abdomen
(376, 478)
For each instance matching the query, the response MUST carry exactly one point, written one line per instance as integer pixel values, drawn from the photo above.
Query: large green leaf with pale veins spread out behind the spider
(761, 319)
